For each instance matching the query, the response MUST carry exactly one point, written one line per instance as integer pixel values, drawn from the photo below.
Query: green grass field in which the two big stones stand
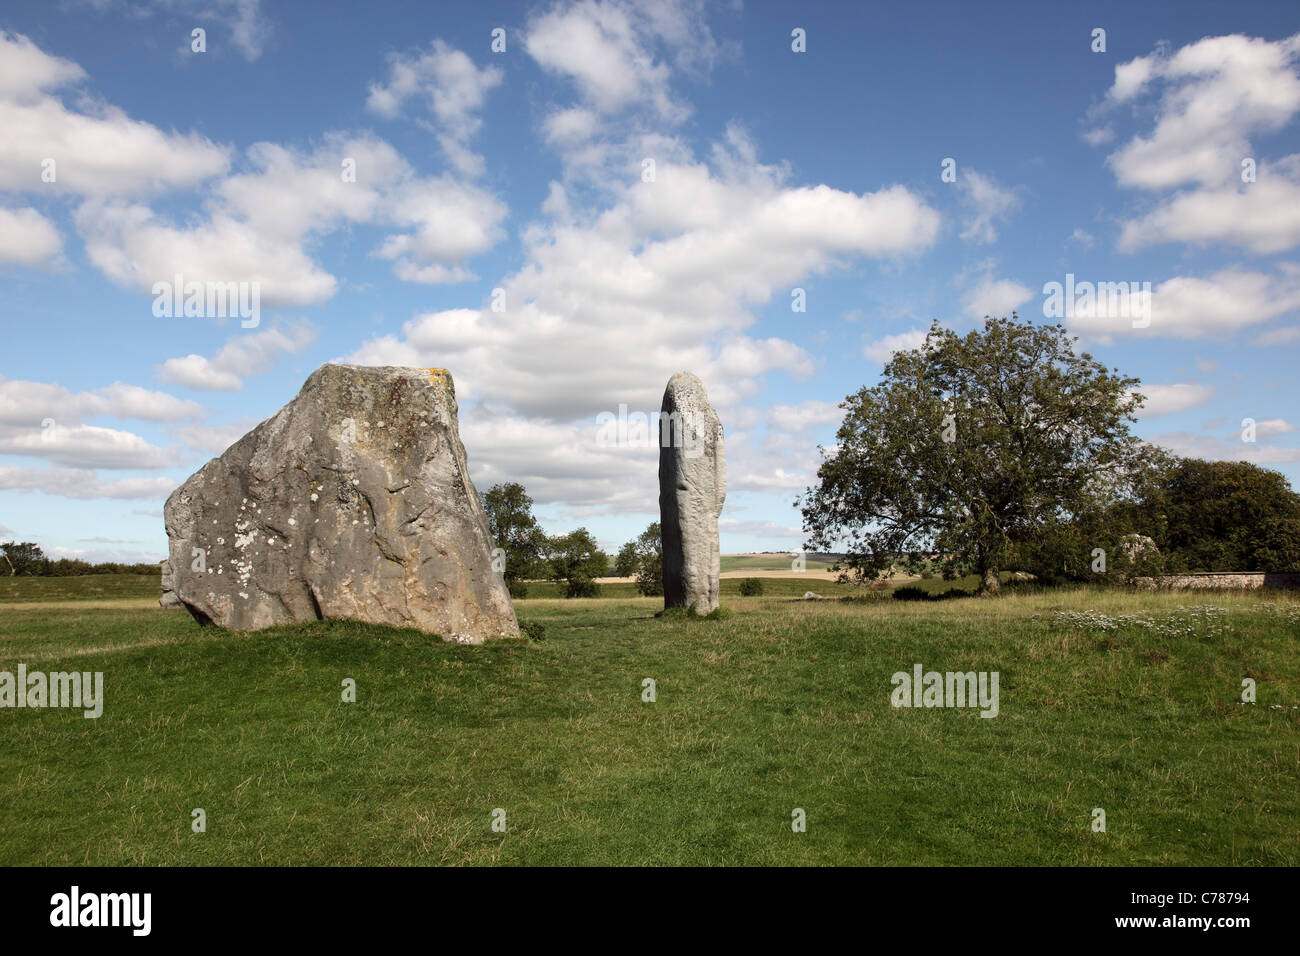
(783, 706)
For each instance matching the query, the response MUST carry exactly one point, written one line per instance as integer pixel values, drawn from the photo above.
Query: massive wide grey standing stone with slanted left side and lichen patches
(353, 501)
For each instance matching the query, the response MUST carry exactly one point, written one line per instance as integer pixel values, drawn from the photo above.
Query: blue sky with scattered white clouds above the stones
(525, 171)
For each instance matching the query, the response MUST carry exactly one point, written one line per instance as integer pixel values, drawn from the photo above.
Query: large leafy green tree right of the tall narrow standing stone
(970, 448)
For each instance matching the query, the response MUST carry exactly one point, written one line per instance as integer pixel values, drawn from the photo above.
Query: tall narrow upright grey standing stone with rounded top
(692, 490)
